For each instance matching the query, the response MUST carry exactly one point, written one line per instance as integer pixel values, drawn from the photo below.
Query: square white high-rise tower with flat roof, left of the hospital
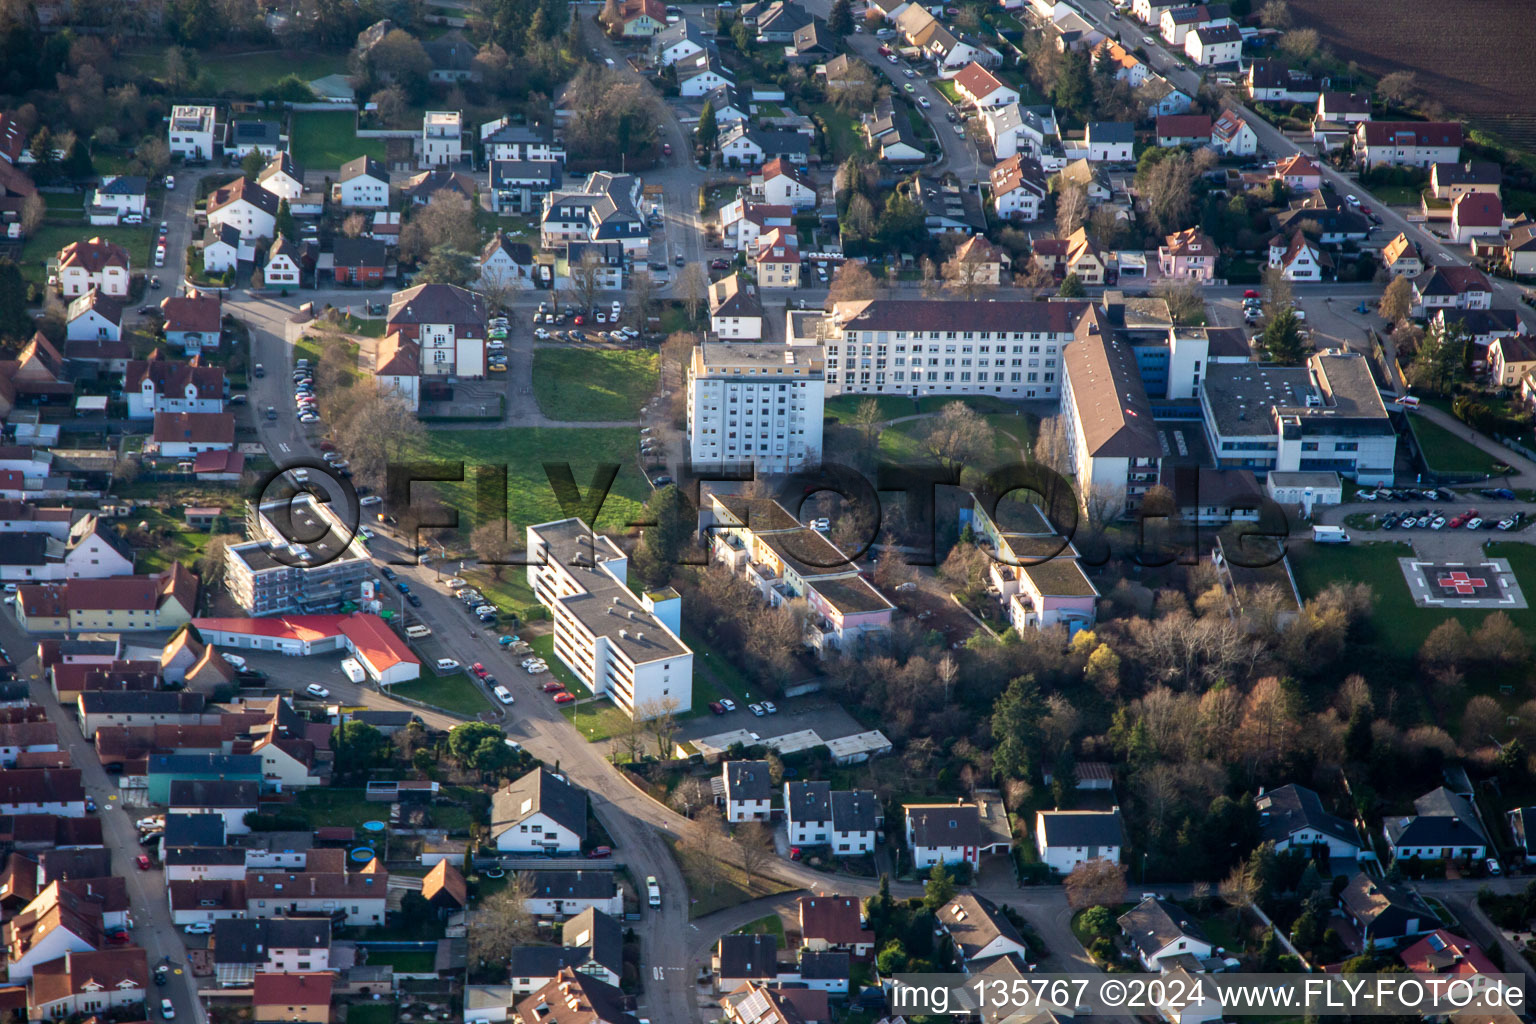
(755, 403)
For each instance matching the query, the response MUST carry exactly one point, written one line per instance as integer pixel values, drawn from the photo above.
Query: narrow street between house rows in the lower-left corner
(147, 890)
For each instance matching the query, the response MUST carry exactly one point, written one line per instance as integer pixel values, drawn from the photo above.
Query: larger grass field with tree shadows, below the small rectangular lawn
(523, 451)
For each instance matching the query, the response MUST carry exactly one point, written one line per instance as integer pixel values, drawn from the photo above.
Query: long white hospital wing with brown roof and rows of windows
(945, 348)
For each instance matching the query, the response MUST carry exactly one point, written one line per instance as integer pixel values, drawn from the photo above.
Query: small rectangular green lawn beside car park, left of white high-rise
(577, 385)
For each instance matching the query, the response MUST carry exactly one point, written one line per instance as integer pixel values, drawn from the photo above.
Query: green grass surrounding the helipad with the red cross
(1402, 626)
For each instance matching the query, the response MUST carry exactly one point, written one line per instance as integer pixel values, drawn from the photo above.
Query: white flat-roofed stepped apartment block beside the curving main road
(620, 646)
